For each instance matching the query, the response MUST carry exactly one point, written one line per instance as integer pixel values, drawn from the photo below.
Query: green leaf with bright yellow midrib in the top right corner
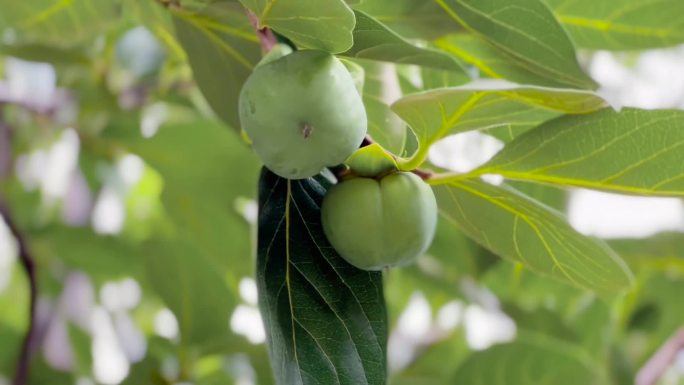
(622, 25)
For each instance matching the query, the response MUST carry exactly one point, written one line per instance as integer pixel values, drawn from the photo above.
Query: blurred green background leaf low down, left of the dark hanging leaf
(192, 290)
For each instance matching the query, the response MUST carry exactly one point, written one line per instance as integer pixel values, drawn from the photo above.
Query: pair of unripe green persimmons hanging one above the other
(303, 113)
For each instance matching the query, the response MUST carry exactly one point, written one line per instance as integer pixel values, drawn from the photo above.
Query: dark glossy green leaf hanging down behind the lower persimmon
(325, 319)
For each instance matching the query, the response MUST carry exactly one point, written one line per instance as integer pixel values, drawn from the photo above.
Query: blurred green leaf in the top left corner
(57, 23)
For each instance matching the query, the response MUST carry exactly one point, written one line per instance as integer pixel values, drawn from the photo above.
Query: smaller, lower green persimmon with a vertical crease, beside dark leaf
(378, 223)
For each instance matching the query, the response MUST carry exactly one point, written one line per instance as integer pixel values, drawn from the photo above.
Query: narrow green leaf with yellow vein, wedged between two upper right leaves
(492, 62)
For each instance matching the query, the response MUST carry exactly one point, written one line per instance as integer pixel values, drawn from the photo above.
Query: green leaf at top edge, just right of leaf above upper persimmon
(410, 18)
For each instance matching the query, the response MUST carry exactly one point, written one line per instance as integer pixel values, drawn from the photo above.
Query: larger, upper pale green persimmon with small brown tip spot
(302, 113)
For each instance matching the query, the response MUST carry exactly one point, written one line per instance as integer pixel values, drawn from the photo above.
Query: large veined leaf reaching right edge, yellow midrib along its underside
(632, 151)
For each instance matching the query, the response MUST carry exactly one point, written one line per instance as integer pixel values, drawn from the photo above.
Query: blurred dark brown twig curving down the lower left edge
(27, 262)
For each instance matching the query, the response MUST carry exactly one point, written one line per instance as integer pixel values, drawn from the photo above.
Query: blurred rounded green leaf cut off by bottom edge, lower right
(530, 359)
